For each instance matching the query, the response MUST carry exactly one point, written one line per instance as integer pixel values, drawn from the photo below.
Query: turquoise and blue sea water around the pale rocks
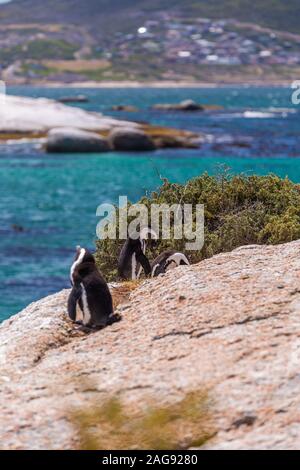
(55, 197)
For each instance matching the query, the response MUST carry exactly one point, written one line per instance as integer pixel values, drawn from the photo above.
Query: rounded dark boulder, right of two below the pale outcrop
(130, 139)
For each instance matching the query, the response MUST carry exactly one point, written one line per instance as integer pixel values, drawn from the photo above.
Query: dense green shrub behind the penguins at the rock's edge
(239, 210)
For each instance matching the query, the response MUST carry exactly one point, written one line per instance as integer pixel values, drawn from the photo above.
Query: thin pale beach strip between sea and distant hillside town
(155, 84)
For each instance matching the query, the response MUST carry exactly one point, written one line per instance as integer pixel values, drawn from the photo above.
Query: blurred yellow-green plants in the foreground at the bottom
(184, 424)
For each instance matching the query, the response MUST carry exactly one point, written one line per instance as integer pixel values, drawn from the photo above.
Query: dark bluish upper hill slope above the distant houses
(278, 14)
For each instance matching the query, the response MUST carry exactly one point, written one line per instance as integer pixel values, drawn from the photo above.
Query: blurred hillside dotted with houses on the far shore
(101, 40)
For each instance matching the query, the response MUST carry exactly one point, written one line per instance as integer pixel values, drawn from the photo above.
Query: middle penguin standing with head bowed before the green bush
(132, 259)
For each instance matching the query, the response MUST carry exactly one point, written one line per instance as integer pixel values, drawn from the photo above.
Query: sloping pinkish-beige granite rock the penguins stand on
(230, 323)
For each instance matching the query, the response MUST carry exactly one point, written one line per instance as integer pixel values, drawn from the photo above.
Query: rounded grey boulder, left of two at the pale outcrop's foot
(70, 140)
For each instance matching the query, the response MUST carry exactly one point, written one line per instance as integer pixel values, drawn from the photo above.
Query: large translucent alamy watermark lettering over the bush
(176, 221)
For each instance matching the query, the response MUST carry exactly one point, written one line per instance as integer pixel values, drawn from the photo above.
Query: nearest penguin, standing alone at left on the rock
(90, 302)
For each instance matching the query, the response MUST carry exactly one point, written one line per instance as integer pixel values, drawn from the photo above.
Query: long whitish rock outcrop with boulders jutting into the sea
(30, 120)
